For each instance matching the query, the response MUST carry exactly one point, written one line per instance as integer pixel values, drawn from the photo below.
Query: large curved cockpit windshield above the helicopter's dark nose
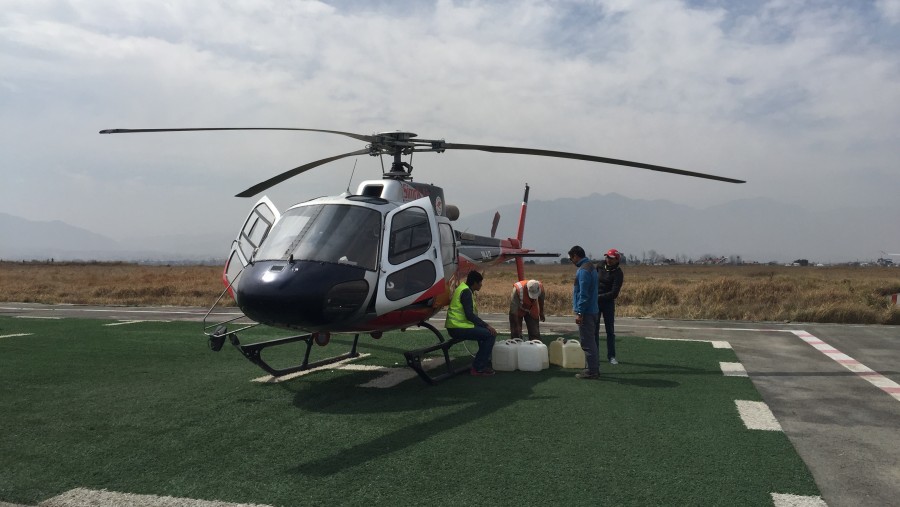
(325, 232)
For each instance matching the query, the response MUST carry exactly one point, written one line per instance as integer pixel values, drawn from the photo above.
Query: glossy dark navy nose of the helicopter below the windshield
(308, 295)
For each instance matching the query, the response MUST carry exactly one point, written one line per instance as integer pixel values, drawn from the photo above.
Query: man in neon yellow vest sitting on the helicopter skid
(463, 322)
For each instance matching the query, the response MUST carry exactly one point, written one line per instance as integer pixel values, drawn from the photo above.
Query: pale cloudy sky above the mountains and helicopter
(799, 98)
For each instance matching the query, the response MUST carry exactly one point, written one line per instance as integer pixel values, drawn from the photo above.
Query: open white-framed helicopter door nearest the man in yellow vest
(411, 260)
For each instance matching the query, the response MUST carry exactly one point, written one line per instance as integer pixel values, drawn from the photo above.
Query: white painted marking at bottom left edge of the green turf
(81, 497)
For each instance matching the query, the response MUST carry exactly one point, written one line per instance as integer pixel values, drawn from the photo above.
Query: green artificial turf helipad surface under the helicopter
(146, 408)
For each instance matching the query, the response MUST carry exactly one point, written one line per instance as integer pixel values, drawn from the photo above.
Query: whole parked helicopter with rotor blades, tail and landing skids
(386, 257)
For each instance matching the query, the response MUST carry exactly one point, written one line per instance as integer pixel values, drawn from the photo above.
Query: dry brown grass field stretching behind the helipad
(755, 293)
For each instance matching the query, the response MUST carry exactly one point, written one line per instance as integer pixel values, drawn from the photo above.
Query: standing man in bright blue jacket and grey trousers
(584, 304)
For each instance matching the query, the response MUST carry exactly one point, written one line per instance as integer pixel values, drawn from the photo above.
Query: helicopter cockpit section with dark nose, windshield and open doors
(340, 259)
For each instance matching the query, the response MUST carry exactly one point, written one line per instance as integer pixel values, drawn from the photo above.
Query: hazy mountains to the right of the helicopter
(757, 229)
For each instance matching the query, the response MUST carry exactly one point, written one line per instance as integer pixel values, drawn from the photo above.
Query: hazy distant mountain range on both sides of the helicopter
(757, 229)
